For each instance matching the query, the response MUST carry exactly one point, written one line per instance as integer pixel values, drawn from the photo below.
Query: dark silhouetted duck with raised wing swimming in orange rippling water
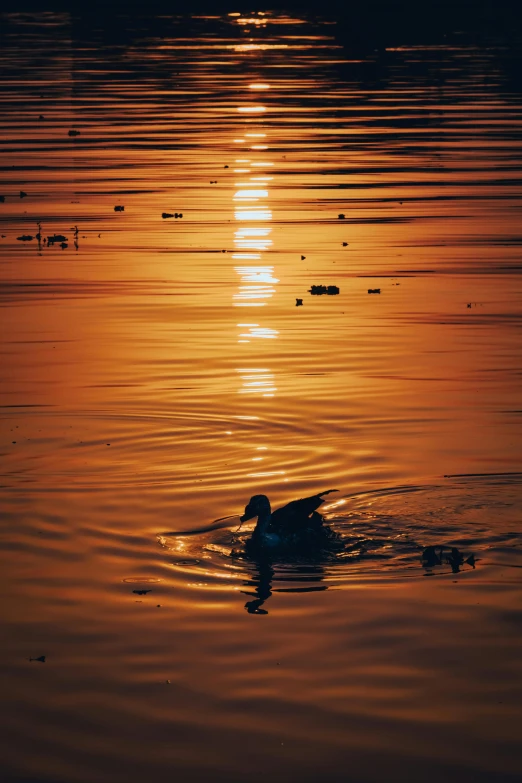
(296, 524)
